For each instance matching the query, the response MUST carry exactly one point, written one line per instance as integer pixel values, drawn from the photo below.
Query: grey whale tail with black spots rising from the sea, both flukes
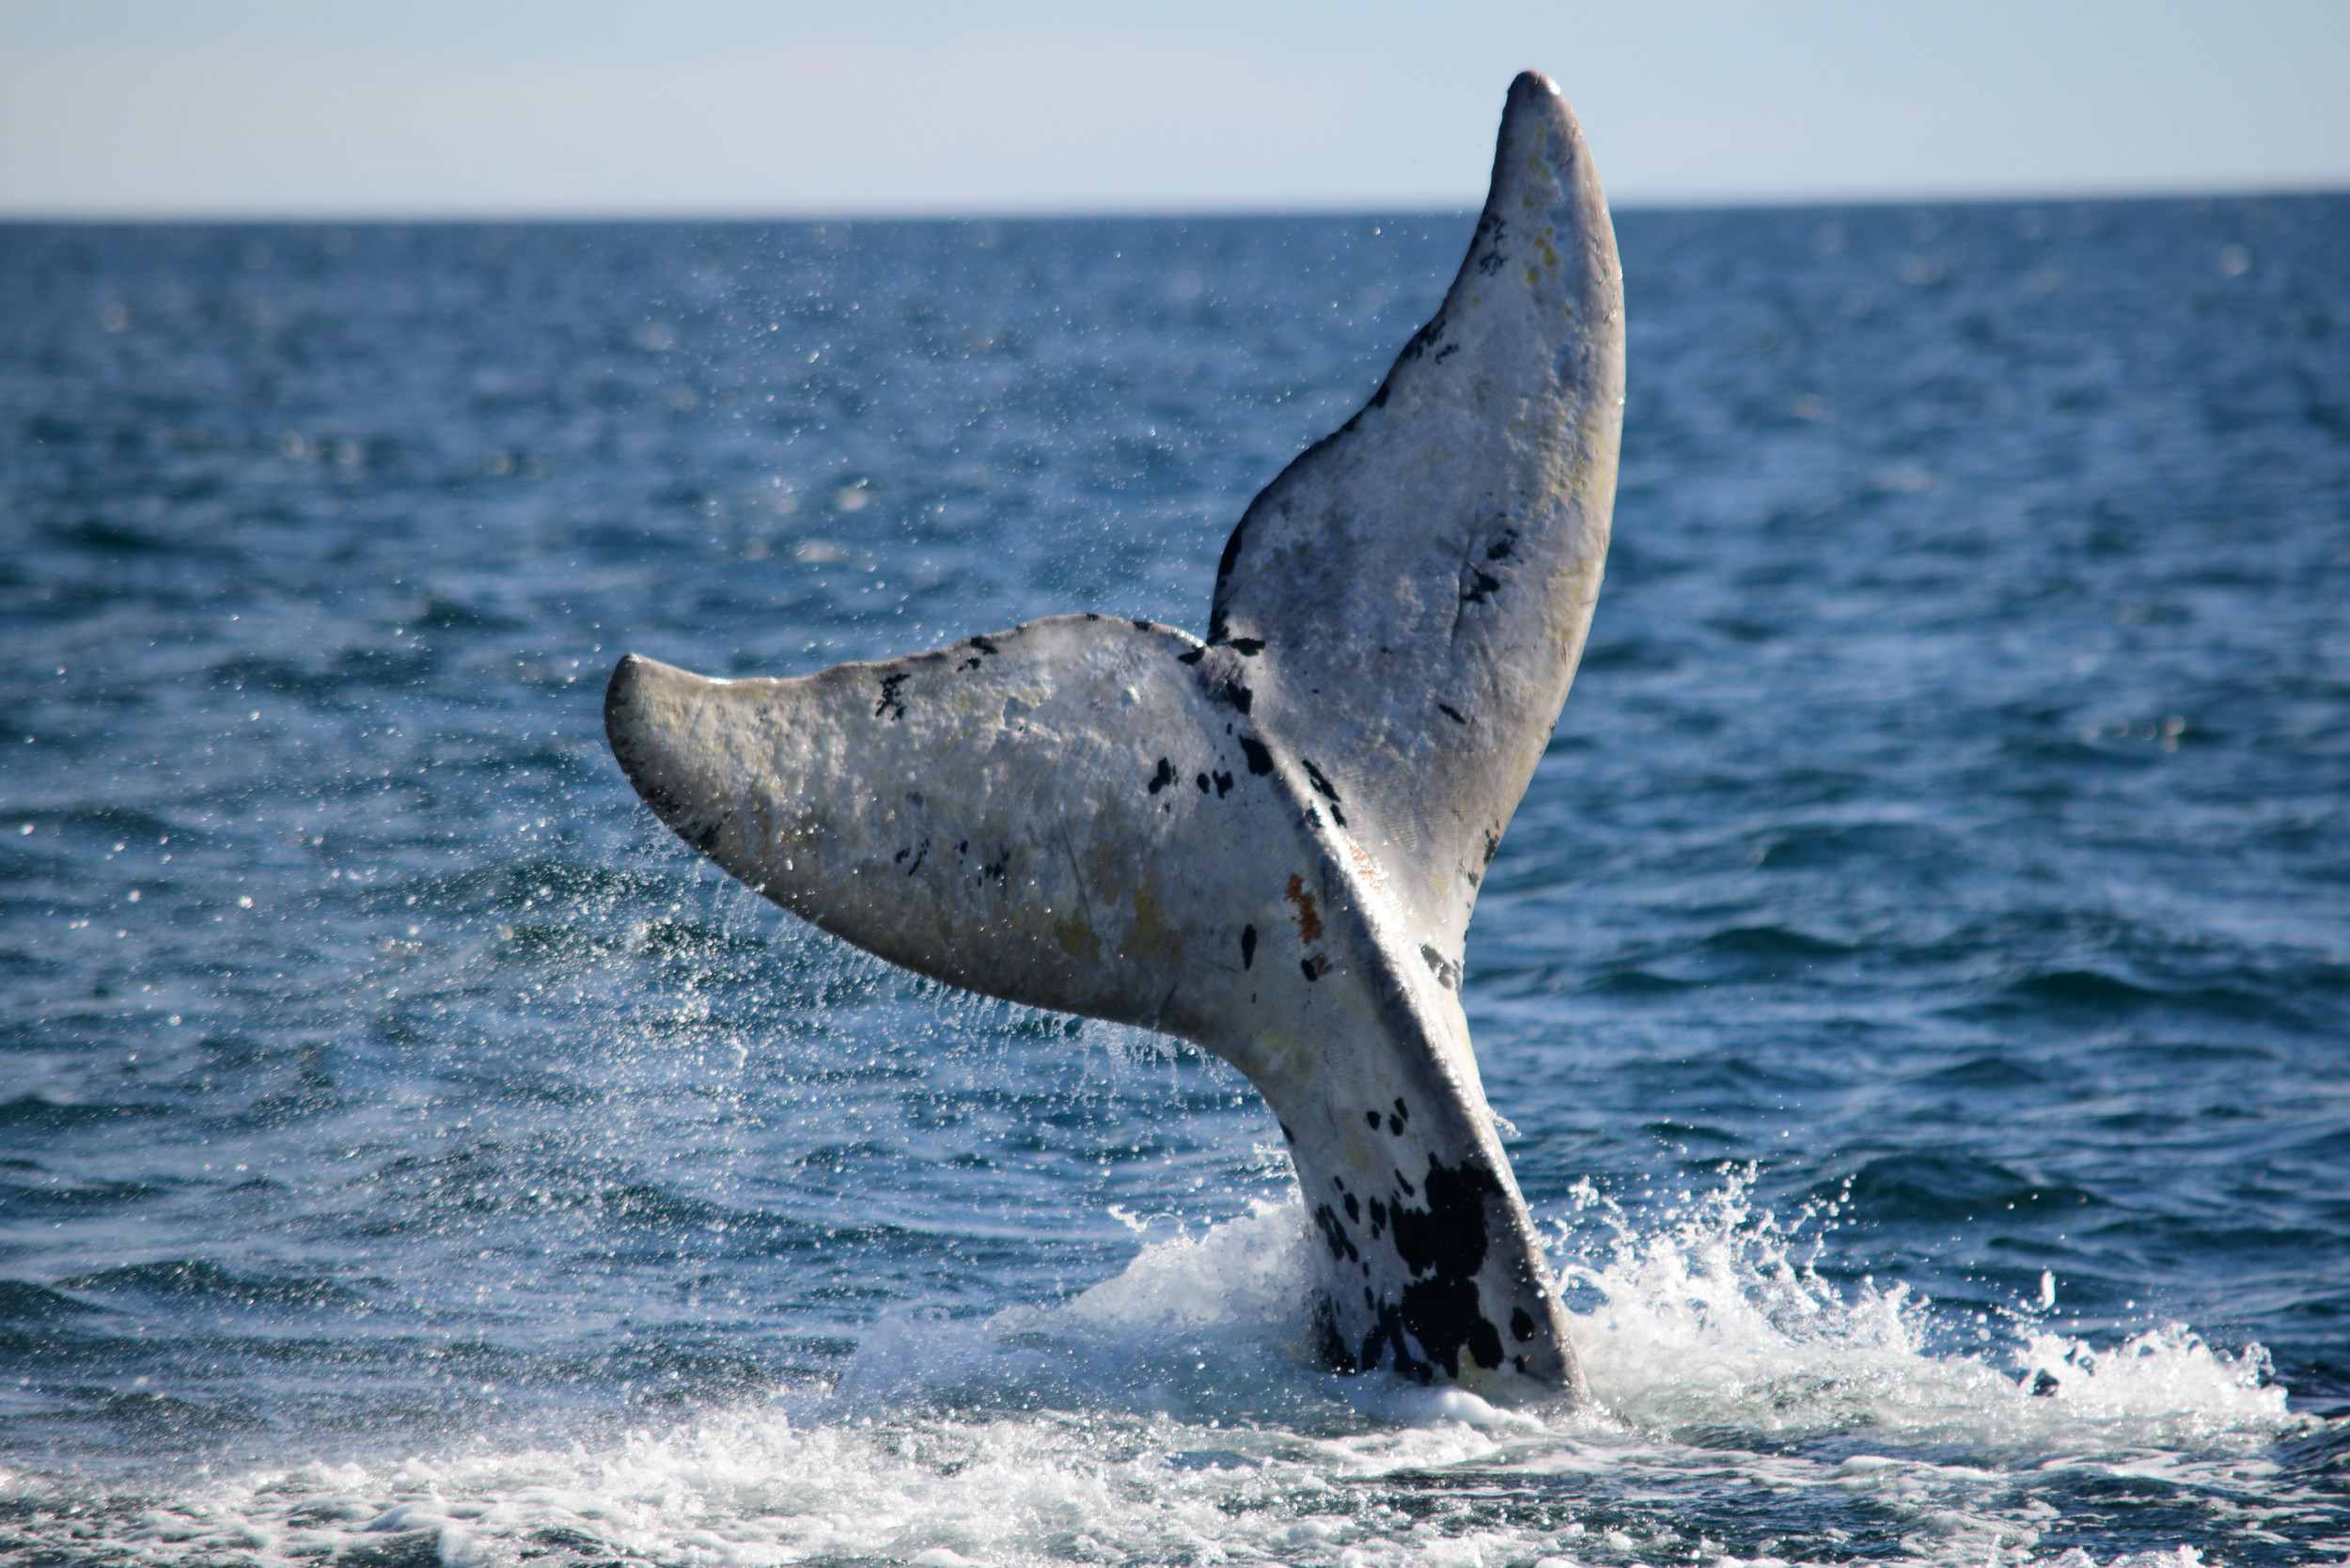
(1268, 843)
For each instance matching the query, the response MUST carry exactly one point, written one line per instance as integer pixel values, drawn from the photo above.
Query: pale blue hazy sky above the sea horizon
(415, 109)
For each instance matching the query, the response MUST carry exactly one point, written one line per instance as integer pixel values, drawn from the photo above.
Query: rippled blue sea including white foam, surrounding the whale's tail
(1919, 977)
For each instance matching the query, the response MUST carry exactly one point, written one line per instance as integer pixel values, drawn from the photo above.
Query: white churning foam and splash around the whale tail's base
(1169, 1416)
